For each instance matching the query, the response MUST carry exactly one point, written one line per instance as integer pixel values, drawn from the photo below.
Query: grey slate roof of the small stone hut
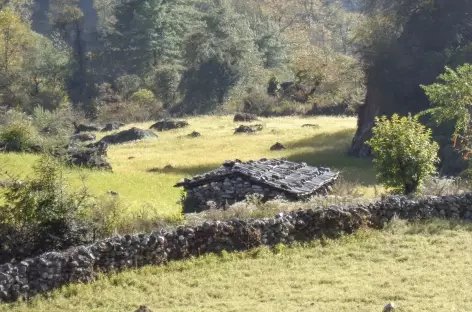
(291, 177)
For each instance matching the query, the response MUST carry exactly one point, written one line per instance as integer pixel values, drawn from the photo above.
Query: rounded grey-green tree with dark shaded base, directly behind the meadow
(218, 56)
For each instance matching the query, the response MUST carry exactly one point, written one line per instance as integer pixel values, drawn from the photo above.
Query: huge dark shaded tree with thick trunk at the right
(403, 44)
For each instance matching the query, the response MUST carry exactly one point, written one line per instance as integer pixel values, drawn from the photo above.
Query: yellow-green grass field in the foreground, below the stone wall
(418, 267)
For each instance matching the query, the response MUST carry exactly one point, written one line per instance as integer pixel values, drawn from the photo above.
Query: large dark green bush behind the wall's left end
(41, 214)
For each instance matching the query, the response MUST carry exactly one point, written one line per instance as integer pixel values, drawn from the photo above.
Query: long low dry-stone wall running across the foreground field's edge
(54, 269)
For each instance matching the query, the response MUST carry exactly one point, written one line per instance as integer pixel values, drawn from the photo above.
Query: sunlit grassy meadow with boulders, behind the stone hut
(146, 189)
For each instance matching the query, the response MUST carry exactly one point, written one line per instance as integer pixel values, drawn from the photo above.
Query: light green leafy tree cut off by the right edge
(452, 101)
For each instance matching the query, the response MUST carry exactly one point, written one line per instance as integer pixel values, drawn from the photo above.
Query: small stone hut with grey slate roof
(270, 178)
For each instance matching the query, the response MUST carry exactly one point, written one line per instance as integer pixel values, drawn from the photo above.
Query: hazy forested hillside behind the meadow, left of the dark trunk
(141, 60)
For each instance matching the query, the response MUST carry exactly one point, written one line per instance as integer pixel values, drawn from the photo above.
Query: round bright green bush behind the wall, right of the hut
(404, 154)
